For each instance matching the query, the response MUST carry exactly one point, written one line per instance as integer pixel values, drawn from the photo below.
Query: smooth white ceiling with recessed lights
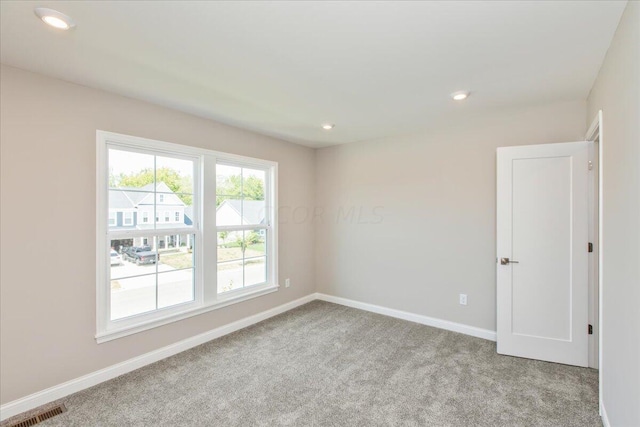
(375, 69)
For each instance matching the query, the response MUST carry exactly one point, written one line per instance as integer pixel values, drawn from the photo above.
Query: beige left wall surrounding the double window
(48, 136)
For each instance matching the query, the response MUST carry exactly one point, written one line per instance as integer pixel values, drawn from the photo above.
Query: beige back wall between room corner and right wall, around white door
(433, 232)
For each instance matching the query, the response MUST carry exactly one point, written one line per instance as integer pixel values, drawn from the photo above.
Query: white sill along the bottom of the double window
(223, 301)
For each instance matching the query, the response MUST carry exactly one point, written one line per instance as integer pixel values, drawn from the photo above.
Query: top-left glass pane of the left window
(128, 169)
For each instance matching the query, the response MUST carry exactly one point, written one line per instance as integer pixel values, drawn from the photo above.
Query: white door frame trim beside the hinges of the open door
(595, 134)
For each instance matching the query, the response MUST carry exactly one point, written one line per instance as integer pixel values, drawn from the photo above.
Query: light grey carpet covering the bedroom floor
(328, 365)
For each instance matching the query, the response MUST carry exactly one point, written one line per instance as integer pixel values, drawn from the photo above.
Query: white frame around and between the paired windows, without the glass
(206, 297)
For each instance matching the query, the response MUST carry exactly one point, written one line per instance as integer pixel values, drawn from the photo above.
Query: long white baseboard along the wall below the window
(43, 397)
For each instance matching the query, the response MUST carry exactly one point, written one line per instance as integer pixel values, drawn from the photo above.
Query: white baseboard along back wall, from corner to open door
(412, 317)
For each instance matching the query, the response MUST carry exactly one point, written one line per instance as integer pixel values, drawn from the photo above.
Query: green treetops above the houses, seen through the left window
(172, 178)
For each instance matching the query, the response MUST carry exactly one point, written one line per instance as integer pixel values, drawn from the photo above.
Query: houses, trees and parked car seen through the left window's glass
(155, 266)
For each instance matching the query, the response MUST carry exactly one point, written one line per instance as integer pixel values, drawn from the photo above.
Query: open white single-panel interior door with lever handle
(542, 252)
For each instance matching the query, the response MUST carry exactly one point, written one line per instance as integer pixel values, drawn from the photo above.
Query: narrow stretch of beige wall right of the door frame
(617, 93)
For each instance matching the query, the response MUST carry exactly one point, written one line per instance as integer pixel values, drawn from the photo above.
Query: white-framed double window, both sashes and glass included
(220, 249)
